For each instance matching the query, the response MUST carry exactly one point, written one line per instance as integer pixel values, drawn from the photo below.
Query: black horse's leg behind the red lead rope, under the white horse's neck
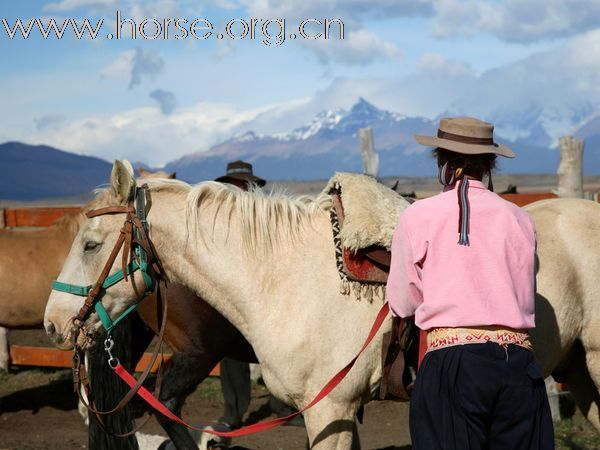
(185, 373)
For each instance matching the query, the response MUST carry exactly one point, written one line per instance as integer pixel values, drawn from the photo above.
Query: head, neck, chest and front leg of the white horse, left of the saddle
(265, 262)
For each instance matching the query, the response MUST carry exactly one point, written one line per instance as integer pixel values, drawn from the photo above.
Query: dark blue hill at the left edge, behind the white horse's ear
(30, 172)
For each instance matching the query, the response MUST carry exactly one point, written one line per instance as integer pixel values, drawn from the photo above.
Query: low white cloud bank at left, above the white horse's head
(145, 134)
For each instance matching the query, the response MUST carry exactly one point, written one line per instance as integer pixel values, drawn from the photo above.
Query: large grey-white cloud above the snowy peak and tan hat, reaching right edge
(543, 96)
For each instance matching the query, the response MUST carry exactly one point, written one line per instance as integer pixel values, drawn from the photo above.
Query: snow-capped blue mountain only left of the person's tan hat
(328, 143)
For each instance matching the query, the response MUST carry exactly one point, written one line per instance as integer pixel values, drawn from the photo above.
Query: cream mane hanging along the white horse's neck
(265, 218)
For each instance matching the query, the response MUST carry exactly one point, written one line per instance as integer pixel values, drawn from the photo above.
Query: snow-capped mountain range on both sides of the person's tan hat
(329, 143)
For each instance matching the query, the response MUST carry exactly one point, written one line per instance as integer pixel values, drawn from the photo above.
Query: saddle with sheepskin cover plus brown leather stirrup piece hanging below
(364, 216)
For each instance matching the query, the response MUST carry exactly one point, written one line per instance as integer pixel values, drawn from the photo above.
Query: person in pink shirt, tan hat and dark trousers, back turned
(463, 264)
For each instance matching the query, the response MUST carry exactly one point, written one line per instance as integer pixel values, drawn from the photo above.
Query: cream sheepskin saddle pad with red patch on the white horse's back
(366, 213)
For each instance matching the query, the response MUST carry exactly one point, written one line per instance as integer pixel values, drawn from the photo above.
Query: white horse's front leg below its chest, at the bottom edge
(332, 425)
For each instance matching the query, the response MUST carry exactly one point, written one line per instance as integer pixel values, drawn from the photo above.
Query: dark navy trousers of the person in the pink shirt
(480, 396)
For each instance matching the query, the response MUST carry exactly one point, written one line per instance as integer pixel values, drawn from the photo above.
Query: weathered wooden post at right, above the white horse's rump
(570, 168)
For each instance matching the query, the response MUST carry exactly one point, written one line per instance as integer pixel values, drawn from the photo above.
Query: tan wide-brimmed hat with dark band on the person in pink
(465, 135)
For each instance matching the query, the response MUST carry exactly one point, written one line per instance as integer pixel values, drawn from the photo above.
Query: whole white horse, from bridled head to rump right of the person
(268, 265)
